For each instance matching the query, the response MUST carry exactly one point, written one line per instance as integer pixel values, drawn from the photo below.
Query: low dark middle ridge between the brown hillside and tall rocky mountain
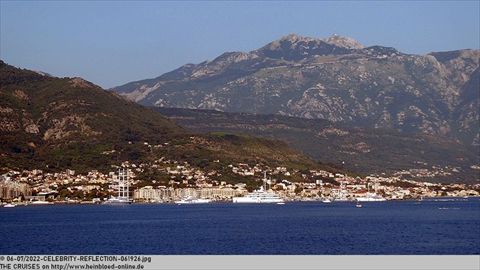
(362, 150)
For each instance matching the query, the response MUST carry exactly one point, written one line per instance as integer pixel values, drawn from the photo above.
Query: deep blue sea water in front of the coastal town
(396, 227)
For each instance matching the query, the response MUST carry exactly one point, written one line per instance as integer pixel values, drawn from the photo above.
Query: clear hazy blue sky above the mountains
(112, 43)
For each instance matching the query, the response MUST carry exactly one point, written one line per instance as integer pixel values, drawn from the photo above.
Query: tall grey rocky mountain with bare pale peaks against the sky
(337, 79)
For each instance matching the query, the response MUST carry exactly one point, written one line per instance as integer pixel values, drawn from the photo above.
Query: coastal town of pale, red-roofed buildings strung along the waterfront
(181, 180)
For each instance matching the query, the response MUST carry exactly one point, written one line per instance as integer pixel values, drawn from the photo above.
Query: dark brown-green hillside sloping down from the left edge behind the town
(55, 124)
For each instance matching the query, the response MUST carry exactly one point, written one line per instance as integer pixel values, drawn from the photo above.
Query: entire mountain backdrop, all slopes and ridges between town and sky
(338, 104)
